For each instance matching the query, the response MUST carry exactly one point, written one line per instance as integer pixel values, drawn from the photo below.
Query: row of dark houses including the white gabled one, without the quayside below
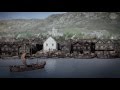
(98, 48)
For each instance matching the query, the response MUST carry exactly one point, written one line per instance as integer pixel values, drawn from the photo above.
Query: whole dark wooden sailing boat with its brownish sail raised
(25, 67)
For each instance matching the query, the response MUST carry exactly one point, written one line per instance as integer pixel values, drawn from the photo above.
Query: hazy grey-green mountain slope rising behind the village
(67, 22)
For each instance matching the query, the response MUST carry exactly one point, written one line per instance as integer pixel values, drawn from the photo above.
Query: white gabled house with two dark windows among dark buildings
(50, 44)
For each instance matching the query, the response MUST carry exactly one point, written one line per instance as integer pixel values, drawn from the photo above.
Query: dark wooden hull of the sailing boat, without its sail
(22, 68)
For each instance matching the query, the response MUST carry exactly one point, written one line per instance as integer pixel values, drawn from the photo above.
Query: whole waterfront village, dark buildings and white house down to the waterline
(51, 48)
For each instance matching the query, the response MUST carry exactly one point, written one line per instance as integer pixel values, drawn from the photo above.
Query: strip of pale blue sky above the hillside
(26, 15)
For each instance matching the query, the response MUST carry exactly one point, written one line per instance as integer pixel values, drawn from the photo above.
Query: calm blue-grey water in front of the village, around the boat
(65, 68)
